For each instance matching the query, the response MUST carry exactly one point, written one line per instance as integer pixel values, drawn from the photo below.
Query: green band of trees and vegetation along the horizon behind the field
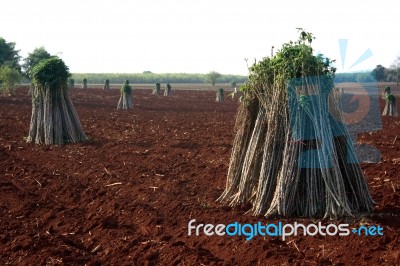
(14, 69)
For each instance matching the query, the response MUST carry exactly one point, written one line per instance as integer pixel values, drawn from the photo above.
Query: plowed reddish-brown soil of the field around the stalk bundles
(126, 196)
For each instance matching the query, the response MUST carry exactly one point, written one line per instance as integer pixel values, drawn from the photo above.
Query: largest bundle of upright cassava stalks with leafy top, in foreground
(292, 156)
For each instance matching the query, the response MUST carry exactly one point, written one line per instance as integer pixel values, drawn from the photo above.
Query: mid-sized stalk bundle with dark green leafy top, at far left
(54, 119)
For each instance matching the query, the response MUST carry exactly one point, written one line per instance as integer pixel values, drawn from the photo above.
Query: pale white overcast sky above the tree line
(199, 36)
